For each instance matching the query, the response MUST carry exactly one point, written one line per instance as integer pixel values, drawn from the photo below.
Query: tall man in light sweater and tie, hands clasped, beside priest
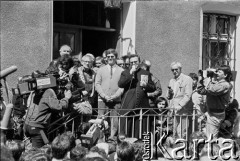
(106, 84)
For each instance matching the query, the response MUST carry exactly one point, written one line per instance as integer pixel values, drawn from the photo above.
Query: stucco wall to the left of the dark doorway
(26, 29)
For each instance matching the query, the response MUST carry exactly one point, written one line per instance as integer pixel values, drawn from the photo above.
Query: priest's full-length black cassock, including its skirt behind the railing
(135, 97)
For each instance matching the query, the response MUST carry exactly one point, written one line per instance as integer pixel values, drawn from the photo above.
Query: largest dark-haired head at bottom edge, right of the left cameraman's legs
(60, 146)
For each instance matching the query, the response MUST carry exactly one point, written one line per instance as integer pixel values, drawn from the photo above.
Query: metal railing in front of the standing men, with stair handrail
(148, 117)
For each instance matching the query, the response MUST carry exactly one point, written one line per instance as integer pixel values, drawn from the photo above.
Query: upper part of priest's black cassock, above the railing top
(135, 95)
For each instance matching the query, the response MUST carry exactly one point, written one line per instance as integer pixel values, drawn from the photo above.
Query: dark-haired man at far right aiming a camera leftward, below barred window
(217, 97)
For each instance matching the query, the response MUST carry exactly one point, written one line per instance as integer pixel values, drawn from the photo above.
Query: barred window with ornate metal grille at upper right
(218, 45)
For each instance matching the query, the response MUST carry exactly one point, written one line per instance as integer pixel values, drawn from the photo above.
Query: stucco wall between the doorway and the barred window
(167, 32)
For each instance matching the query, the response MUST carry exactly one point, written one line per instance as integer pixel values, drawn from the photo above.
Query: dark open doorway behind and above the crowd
(86, 26)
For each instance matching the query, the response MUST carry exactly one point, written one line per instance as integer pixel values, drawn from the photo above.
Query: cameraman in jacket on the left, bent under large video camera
(41, 104)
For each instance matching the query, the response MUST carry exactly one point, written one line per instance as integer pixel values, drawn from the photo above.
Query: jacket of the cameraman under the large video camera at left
(41, 107)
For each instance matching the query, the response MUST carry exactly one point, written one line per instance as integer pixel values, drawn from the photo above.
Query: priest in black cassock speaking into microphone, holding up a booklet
(137, 82)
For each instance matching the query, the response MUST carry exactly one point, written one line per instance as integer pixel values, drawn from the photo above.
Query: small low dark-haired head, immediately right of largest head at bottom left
(78, 152)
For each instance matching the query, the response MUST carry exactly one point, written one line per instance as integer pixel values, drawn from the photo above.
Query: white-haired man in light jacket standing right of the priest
(179, 94)
